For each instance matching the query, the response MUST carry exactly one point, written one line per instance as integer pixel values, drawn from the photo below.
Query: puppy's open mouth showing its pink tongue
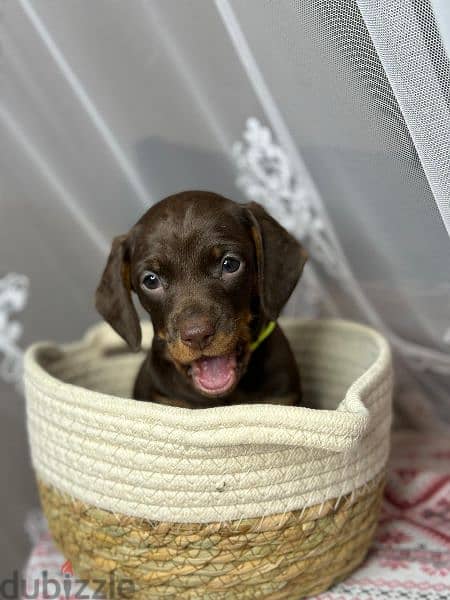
(214, 375)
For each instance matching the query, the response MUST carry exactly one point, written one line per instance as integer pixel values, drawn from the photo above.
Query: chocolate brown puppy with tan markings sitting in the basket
(213, 276)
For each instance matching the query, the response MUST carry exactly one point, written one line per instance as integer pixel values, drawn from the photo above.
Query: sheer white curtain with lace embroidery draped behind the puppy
(334, 113)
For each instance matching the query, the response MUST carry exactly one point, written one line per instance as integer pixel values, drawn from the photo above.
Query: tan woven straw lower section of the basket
(285, 556)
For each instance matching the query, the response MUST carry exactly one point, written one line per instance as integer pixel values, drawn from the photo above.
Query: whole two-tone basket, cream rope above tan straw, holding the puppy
(251, 501)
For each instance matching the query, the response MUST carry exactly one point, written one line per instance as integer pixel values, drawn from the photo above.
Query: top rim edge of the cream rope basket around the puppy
(351, 416)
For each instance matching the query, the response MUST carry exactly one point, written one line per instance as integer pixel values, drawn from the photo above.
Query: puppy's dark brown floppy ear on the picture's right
(280, 259)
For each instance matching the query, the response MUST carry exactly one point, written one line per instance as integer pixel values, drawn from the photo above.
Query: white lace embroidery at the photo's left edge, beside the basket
(13, 298)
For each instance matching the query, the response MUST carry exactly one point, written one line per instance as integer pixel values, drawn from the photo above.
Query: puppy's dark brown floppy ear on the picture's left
(113, 297)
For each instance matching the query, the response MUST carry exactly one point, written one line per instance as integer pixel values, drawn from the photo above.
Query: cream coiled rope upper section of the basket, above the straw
(254, 460)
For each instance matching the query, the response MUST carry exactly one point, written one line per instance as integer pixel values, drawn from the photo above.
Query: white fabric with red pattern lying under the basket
(410, 558)
